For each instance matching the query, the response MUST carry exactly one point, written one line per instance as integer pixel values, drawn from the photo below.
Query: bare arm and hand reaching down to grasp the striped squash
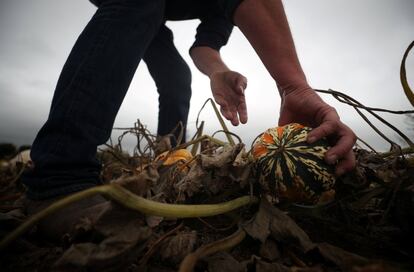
(264, 24)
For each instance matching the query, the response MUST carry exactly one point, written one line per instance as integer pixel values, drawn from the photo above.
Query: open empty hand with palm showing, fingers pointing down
(228, 91)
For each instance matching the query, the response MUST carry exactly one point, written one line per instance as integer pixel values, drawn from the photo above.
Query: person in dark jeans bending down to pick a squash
(99, 69)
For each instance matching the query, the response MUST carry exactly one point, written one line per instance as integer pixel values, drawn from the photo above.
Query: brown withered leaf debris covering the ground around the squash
(368, 227)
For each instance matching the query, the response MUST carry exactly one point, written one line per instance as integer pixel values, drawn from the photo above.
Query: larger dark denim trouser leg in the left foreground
(89, 92)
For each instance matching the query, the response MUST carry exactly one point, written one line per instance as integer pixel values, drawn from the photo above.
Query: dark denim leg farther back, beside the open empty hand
(172, 77)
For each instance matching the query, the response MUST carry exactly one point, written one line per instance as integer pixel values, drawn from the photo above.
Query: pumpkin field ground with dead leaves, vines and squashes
(218, 205)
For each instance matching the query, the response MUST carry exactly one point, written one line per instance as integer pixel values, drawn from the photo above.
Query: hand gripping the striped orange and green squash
(306, 107)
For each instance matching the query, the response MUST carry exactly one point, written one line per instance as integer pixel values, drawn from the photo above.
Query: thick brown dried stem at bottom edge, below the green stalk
(189, 262)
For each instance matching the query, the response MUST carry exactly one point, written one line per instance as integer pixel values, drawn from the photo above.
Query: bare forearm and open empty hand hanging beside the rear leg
(227, 86)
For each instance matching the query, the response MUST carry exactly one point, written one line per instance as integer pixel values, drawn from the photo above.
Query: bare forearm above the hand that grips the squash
(265, 25)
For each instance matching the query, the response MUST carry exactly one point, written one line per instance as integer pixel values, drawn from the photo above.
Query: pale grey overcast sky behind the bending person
(351, 46)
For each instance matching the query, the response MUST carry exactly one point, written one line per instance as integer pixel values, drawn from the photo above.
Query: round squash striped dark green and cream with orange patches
(290, 169)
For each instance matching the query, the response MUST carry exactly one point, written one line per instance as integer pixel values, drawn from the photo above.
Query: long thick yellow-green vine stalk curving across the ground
(134, 202)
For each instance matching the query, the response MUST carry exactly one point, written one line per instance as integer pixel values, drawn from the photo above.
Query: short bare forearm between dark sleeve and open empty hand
(208, 60)
